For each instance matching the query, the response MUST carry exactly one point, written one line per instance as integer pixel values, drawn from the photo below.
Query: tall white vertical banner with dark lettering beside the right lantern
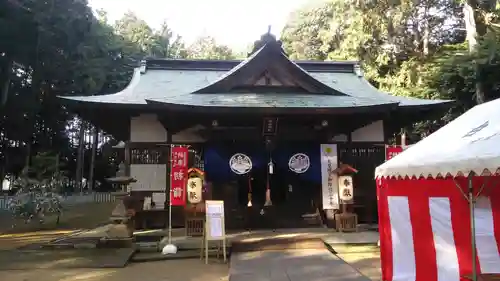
(329, 180)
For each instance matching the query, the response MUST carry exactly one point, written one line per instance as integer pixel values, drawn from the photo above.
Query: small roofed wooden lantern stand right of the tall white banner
(346, 221)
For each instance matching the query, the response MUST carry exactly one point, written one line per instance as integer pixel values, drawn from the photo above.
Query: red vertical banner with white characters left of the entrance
(178, 175)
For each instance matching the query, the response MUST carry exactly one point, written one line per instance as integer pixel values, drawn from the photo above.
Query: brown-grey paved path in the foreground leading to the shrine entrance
(291, 265)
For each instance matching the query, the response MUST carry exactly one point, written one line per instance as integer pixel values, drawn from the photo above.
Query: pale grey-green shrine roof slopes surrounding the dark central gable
(176, 86)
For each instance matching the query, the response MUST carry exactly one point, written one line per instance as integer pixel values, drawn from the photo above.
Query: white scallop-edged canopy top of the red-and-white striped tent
(470, 143)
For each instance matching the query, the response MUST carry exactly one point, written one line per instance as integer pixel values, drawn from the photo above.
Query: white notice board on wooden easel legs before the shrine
(214, 228)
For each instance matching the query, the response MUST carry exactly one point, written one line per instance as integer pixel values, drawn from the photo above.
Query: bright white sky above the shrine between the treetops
(236, 23)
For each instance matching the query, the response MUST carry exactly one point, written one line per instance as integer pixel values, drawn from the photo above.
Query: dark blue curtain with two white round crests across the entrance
(217, 155)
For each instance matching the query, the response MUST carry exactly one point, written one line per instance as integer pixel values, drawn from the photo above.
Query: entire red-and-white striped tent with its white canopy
(424, 216)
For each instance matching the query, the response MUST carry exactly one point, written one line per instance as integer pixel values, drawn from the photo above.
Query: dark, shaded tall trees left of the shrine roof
(52, 48)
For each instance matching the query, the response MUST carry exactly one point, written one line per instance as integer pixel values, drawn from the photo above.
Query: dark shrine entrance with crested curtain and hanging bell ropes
(293, 181)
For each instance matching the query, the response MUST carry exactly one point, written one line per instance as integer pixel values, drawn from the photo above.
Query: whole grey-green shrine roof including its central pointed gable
(236, 84)
